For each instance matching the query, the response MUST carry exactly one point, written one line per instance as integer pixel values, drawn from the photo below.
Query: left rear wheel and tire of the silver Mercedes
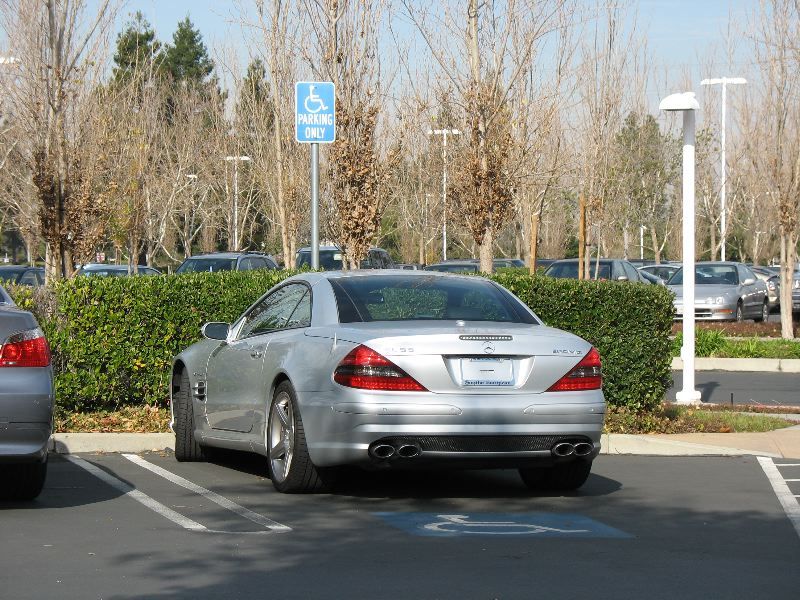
(290, 466)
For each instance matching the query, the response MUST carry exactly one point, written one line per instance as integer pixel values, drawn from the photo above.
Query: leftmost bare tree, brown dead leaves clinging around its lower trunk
(62, 59)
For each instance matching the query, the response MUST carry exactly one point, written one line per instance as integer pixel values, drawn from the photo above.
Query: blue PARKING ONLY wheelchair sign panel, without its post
(315, 112)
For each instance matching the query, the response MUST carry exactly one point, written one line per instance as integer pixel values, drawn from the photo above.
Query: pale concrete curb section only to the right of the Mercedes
(645, 445)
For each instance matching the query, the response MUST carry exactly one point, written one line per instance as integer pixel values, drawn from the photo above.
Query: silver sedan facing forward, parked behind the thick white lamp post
(724, 291)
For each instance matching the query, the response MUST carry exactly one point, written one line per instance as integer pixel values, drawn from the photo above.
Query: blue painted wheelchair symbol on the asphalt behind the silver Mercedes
(492, 524)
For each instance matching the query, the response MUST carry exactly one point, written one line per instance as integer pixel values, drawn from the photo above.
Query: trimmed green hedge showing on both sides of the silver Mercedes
(113, 339)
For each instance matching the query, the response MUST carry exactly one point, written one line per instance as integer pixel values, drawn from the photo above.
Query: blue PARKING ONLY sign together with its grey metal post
(315, 124)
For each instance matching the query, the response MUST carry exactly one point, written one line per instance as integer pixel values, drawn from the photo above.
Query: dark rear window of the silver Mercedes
(412, 298)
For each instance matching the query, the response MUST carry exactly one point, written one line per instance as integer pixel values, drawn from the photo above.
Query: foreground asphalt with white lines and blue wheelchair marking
(144, 526)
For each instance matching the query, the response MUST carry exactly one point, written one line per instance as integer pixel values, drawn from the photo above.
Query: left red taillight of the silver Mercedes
(365, 369)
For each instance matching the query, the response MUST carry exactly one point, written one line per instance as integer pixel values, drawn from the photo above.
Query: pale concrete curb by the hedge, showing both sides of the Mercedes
(616, 443)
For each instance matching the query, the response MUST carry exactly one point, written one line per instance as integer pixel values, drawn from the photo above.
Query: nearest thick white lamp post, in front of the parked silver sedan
(687, 104)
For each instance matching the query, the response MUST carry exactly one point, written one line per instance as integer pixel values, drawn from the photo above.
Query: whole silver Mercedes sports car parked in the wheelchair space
(391, 369)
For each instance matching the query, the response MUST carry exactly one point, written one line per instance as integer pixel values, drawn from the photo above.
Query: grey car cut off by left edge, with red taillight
(26, 402)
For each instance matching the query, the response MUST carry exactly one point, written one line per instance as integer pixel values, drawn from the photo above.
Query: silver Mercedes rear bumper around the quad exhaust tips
(448, 430)
